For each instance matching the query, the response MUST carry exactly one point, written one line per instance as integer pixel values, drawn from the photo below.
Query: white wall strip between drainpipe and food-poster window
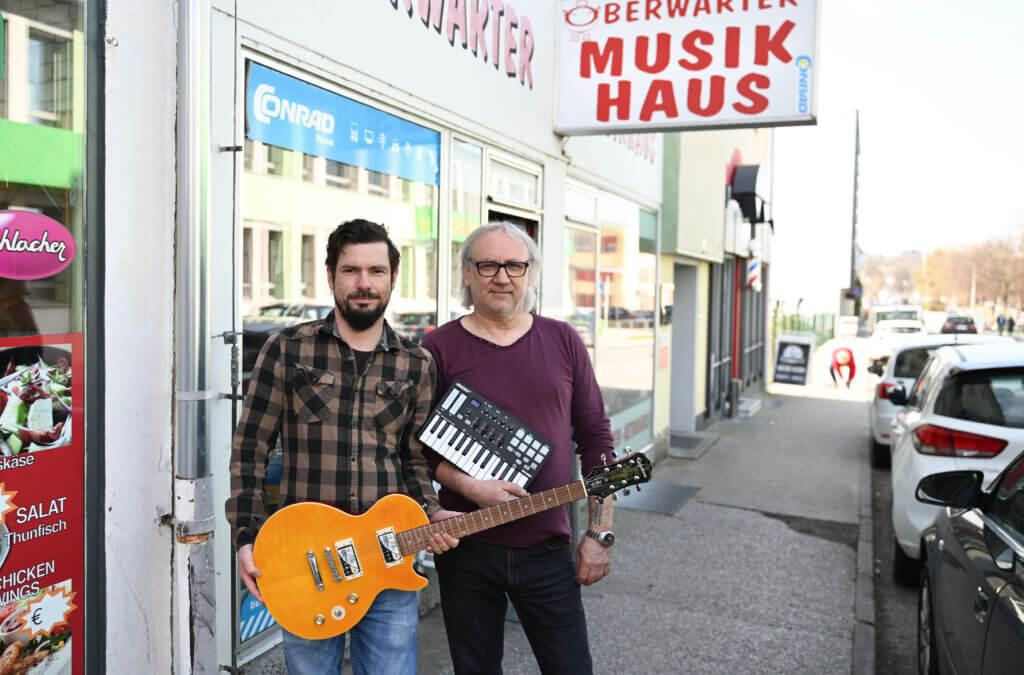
(141, 192)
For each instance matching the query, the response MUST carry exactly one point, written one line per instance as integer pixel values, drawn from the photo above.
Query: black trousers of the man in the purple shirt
(477, 579)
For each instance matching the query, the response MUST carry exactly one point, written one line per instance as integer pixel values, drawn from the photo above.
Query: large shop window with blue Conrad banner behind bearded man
(357, 162)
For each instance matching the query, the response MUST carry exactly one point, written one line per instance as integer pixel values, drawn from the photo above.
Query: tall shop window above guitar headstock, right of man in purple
(626, 315)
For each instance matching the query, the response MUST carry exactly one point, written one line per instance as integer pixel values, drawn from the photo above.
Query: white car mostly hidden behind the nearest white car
(902, 368)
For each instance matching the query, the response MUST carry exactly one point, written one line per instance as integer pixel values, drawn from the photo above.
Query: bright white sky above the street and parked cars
(940, 87)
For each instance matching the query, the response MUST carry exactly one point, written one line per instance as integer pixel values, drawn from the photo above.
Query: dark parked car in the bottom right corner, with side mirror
(971, 601)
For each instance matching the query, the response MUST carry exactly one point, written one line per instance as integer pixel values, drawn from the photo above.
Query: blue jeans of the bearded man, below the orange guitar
(383, 643)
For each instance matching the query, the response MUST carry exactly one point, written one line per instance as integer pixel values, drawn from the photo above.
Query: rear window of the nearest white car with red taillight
(995, 397)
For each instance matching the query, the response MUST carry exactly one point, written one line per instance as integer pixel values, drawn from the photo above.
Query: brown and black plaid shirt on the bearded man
(348, 437)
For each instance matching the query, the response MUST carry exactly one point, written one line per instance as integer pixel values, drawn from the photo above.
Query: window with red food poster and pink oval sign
(42, 308)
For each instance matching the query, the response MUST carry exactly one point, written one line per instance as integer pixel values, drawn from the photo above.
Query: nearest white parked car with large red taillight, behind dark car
(964, 413)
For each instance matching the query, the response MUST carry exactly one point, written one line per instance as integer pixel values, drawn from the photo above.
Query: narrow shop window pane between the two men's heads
(467, 209)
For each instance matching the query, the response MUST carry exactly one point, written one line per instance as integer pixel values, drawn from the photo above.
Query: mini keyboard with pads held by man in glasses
(483, 440)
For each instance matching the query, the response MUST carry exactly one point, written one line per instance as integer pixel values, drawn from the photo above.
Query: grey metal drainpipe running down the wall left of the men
(193, 599)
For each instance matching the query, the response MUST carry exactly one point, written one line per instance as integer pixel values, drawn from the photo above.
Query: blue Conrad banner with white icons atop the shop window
(289, 113)
